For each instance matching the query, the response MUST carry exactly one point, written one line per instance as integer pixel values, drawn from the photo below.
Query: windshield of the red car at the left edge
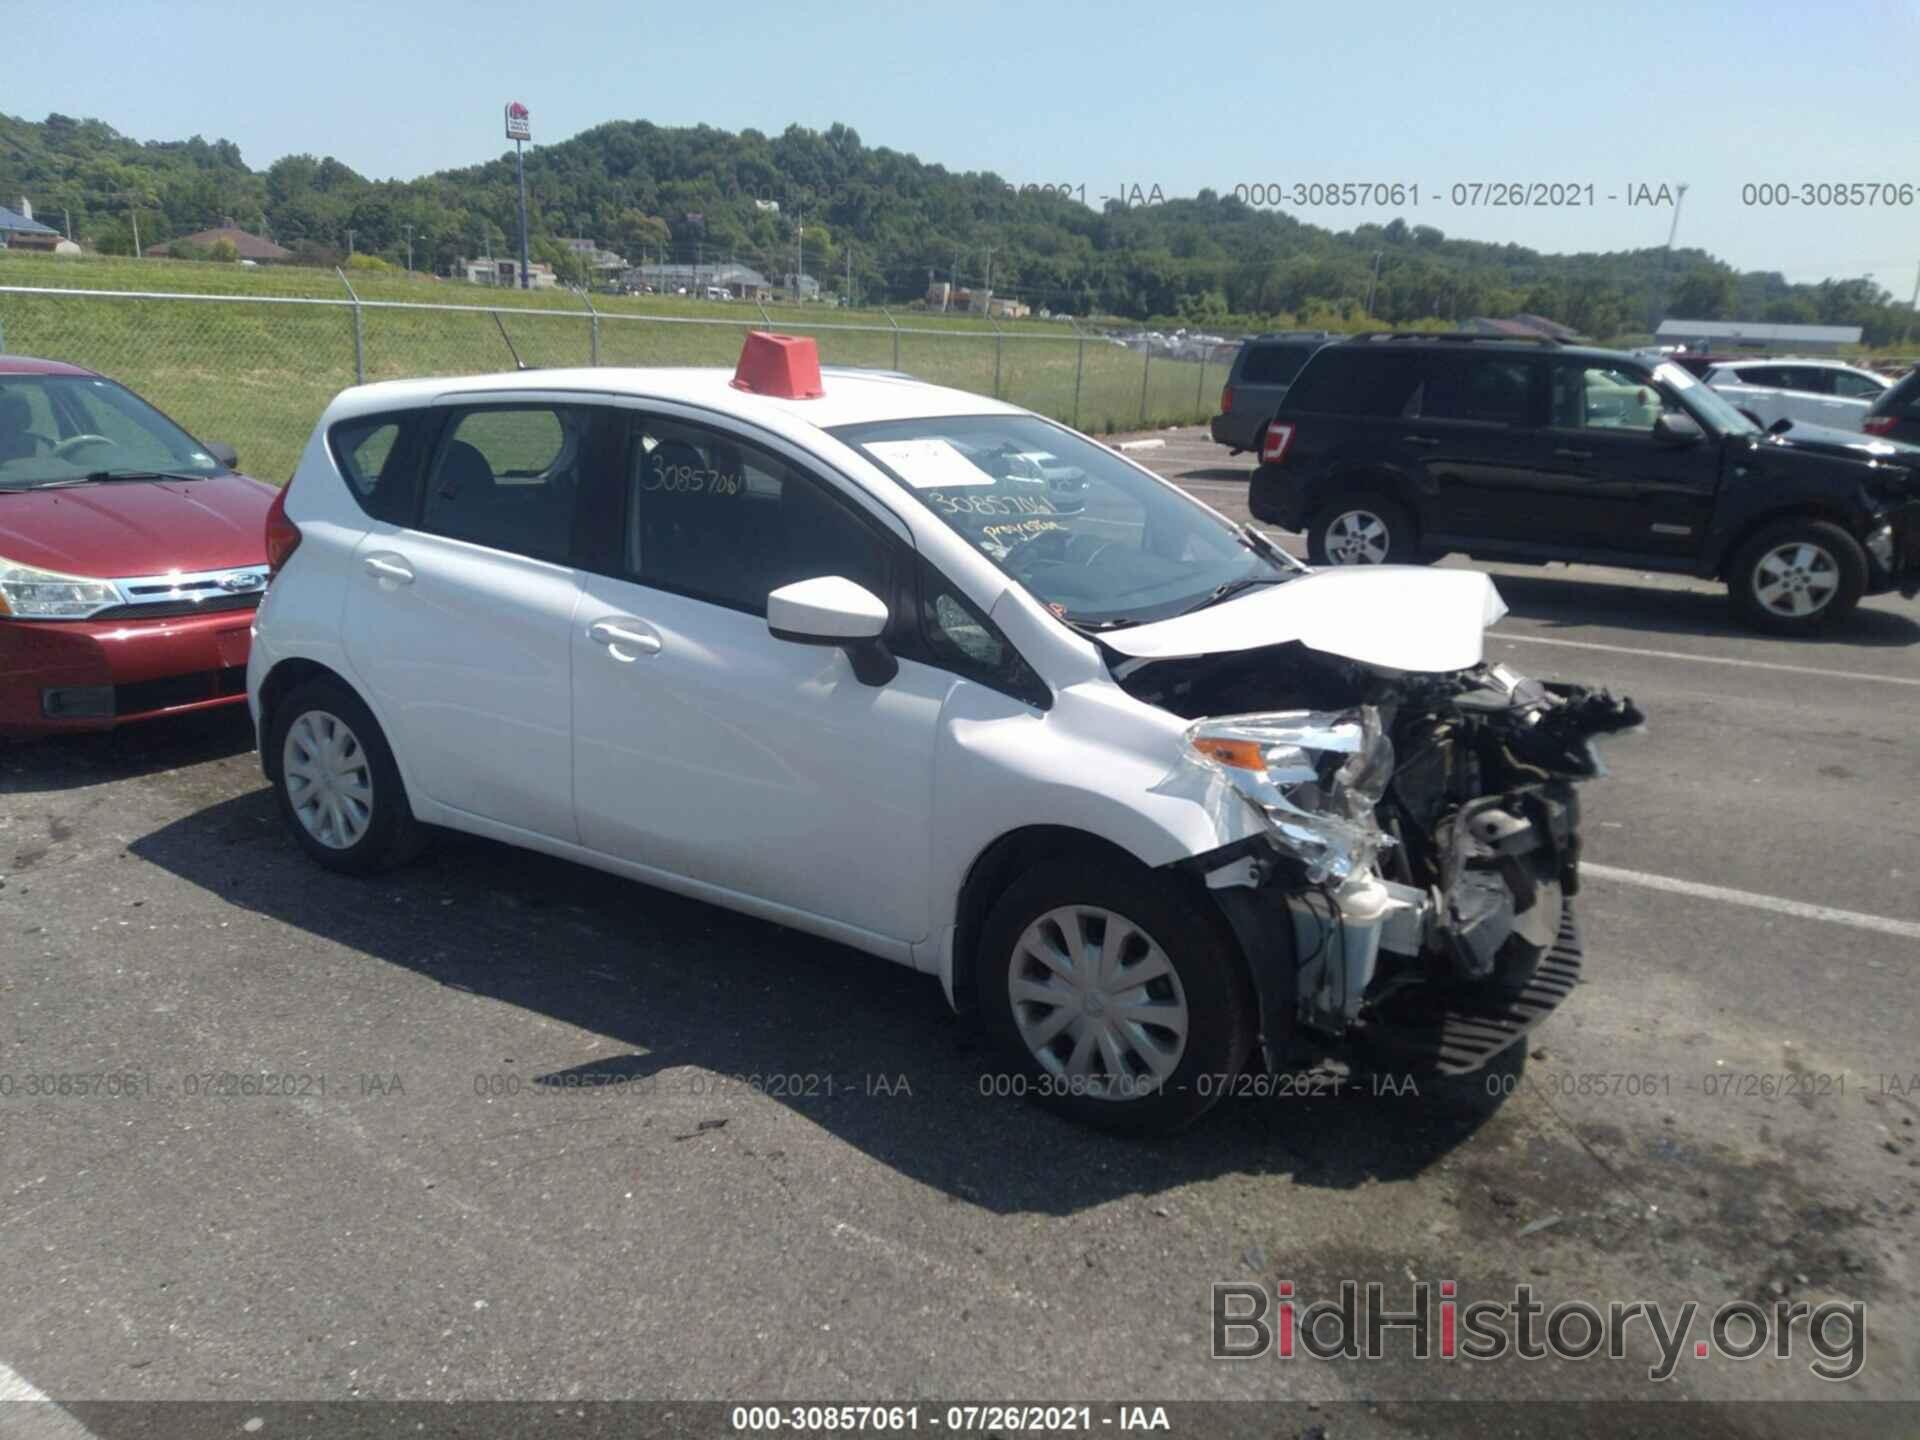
(66, 427)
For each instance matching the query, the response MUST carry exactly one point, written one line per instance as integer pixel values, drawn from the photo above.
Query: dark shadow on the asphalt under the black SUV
(1577, 602)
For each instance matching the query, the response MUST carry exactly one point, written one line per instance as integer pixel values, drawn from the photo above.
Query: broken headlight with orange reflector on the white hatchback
(1316, 777)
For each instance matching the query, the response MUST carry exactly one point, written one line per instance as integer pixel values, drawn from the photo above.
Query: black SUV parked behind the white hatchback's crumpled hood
(1406, 448)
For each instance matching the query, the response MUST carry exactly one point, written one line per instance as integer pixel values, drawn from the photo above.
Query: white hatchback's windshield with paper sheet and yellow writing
(1092, 537)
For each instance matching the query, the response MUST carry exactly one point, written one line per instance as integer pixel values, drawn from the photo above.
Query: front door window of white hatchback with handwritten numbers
(721, 519)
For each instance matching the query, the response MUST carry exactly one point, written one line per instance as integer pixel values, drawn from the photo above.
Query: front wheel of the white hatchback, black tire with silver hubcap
(1199, 980)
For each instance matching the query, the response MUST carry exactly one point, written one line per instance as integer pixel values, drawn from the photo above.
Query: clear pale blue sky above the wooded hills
(1088, 95)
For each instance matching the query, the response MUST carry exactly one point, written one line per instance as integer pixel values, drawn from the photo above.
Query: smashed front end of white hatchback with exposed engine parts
(1410, 886)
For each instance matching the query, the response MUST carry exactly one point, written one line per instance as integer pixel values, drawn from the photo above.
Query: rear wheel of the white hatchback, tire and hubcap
(348, 811)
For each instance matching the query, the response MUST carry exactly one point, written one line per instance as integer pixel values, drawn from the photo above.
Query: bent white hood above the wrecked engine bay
(1397, 617)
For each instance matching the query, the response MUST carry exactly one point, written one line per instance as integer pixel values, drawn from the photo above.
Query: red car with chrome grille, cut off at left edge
(132, 558)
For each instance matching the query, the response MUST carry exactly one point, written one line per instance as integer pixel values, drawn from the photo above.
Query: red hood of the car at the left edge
(139, 527)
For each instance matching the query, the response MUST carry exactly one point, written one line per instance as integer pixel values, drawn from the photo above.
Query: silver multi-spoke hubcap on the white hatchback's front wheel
(1097, 1003)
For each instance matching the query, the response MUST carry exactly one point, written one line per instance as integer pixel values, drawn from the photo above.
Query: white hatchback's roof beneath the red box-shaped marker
(852, 396)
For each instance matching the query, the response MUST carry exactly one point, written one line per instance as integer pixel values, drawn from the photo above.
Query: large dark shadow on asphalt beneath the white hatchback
(886, 1067)
